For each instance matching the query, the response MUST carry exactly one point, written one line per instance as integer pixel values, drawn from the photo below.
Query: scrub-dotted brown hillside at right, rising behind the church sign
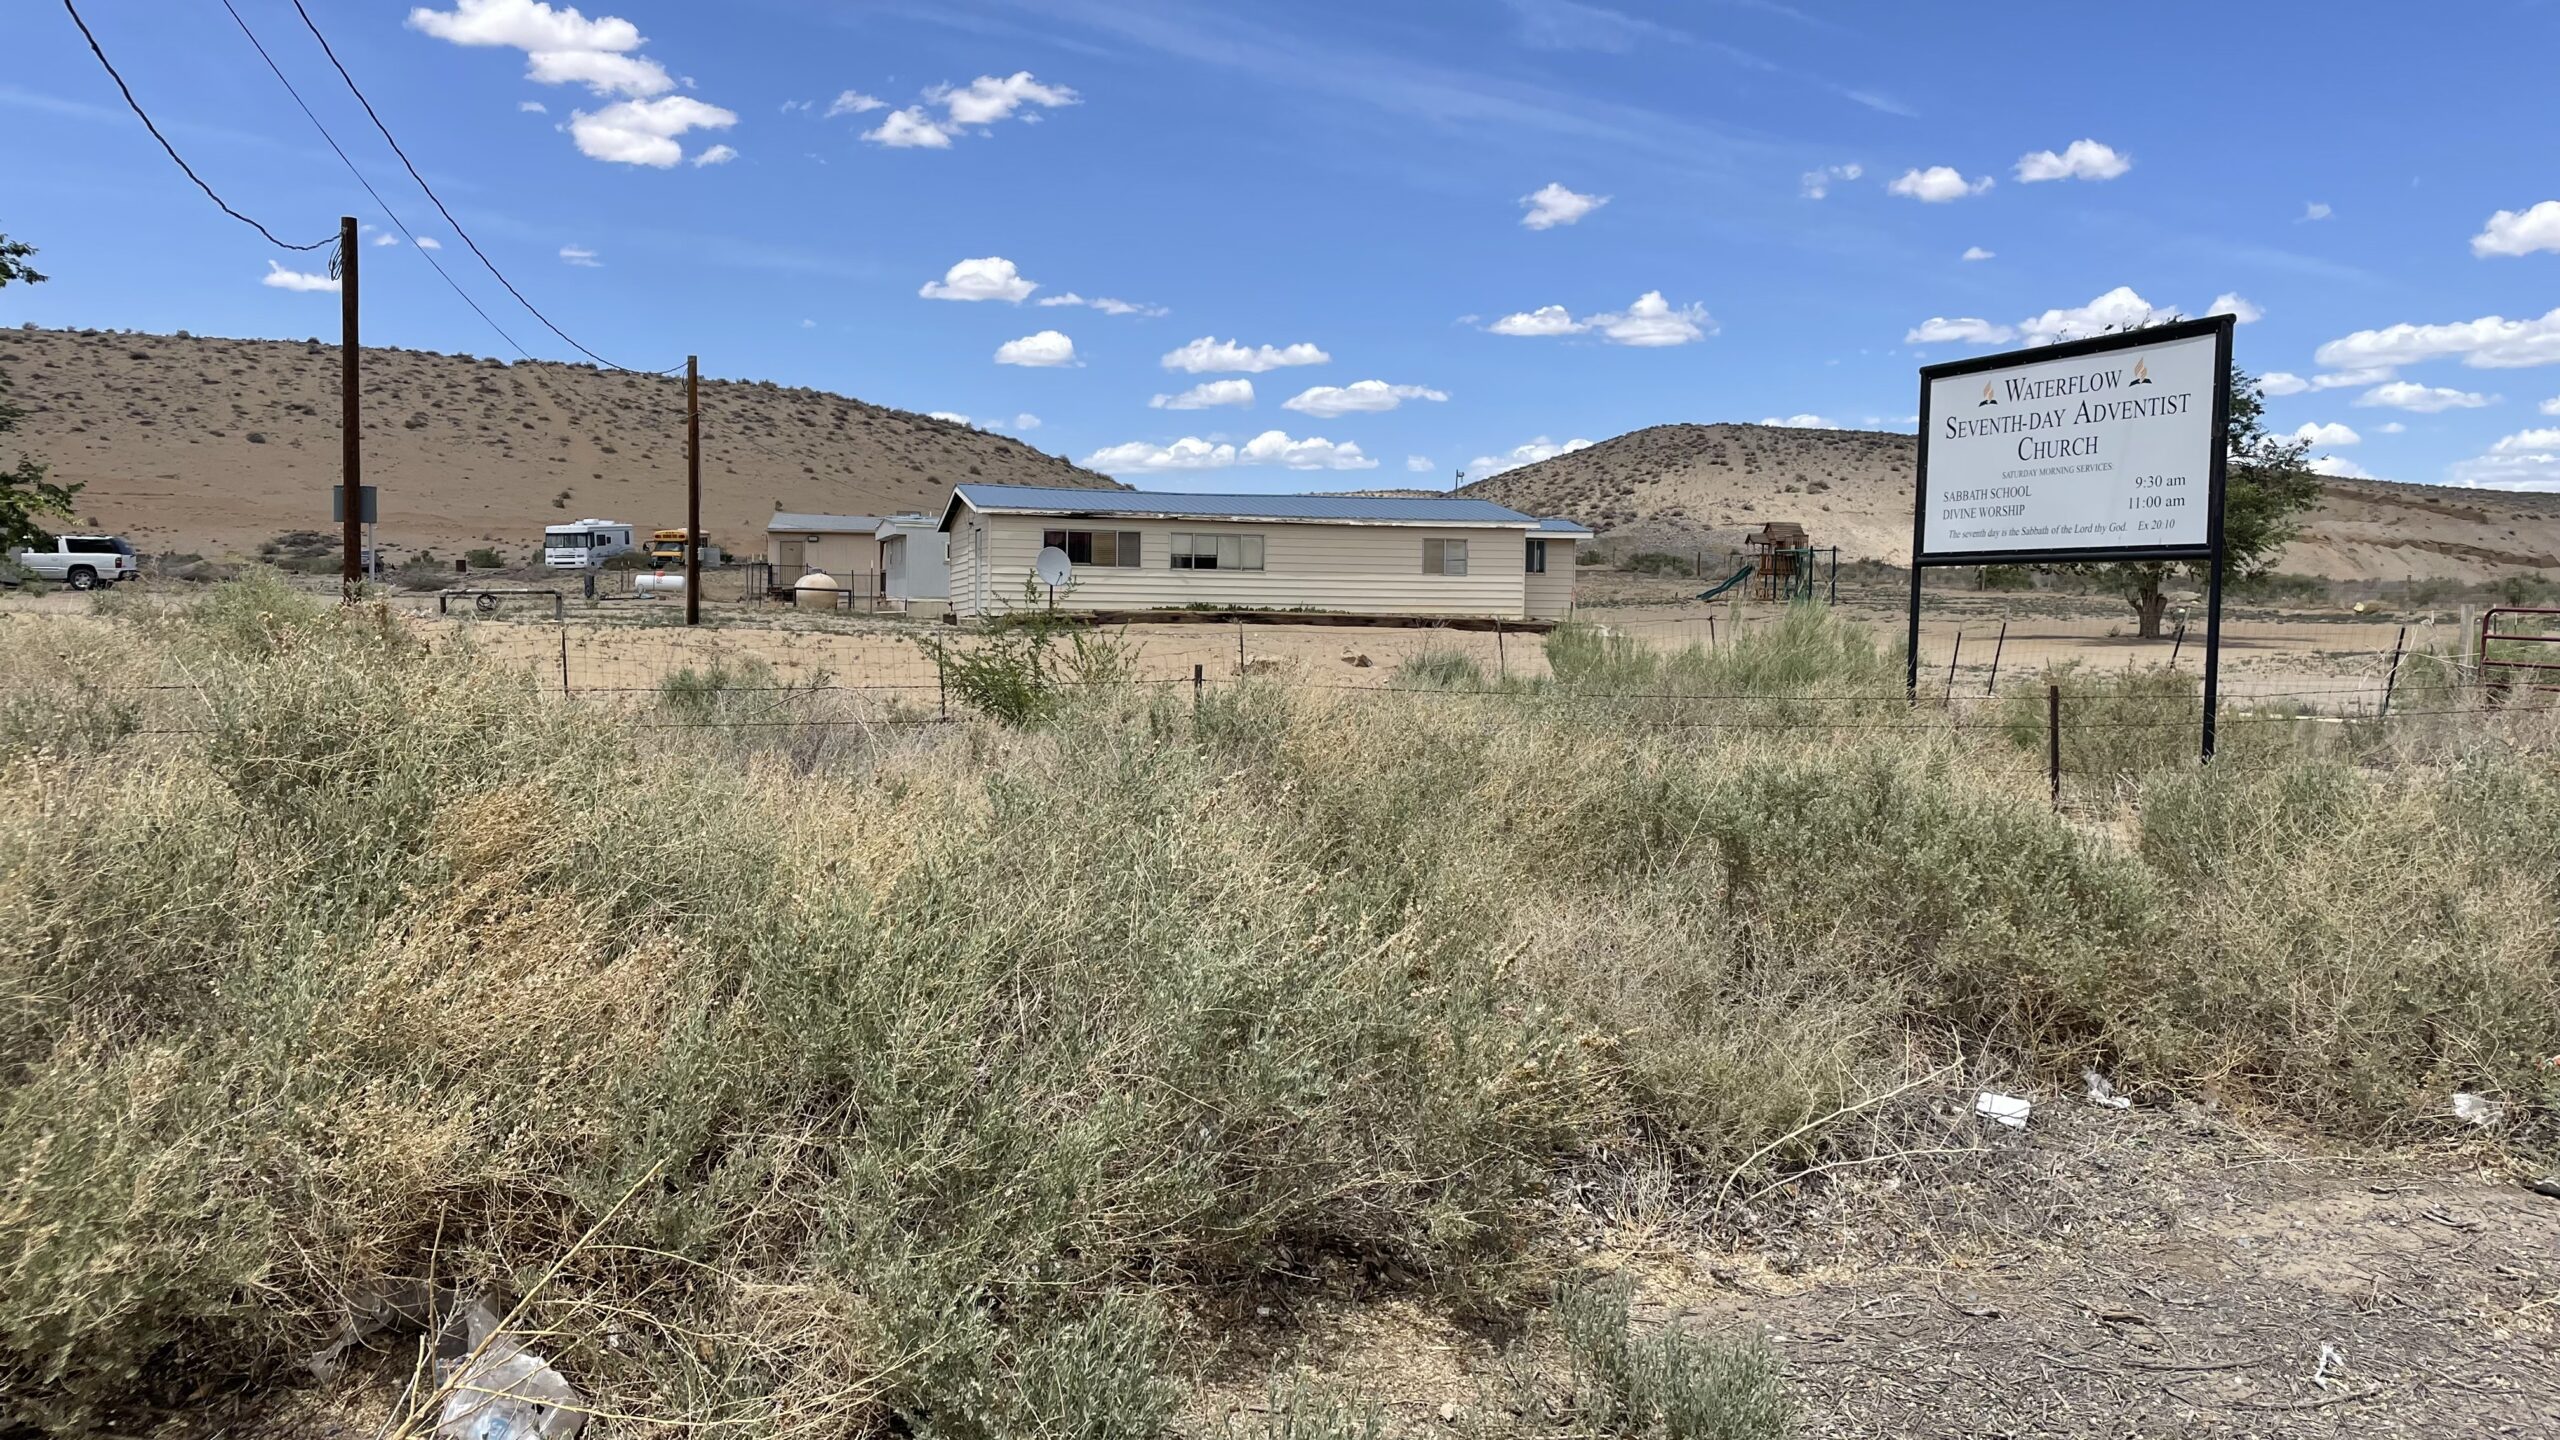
(1704, 486)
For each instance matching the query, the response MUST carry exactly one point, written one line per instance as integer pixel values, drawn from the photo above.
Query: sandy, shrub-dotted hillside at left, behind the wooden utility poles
(214, 447)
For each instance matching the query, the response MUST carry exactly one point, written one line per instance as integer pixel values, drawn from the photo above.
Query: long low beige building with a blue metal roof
(1361, 555)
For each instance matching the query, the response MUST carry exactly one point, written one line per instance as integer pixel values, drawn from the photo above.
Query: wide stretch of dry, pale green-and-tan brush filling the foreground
(972, 1070)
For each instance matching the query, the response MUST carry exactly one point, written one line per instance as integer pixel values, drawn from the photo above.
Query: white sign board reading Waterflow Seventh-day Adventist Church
(2090, 452)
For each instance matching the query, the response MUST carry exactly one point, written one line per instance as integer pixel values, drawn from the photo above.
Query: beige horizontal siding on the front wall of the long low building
(1350, 568)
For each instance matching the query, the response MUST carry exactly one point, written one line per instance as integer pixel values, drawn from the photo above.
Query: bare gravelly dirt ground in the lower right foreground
(2098, 1275)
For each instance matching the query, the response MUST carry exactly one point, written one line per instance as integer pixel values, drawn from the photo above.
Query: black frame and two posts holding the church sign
(2218, 478)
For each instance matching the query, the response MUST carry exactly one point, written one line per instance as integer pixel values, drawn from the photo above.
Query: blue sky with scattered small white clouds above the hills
(1425, 237)
